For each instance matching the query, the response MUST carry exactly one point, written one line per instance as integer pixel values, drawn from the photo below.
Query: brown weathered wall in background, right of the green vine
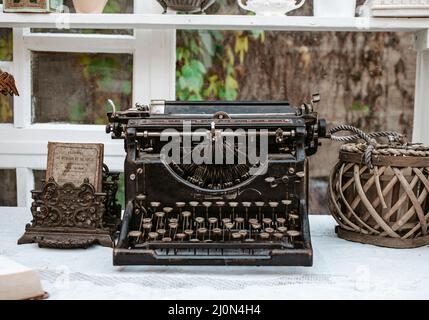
(365, 79)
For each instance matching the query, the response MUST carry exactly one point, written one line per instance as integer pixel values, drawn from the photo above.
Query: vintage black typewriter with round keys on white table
(190, 209)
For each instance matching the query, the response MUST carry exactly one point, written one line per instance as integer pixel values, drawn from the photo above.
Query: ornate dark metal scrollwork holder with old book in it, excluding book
(68, 216)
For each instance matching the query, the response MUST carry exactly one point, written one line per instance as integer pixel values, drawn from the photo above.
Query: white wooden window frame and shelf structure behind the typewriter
(22, 144)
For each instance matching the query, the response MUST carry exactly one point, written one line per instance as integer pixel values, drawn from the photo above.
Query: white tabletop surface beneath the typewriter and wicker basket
(341, 269)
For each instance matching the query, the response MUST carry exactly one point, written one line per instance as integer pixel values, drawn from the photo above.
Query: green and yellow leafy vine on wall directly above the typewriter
(208, 63)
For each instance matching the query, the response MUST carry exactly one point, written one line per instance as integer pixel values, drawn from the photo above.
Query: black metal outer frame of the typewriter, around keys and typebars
(126, 125)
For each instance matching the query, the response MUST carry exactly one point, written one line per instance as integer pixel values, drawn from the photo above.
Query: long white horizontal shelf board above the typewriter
(220, 22)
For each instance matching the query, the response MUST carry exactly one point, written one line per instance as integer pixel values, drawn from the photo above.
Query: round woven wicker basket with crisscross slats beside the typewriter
(385, 203)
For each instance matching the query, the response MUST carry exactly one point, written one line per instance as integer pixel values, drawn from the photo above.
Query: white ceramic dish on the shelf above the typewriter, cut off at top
(270, 7)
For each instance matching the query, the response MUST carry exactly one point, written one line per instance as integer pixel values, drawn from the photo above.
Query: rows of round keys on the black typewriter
(220, 222)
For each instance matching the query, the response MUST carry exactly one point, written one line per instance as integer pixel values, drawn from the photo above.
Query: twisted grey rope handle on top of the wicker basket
(370, 139)
